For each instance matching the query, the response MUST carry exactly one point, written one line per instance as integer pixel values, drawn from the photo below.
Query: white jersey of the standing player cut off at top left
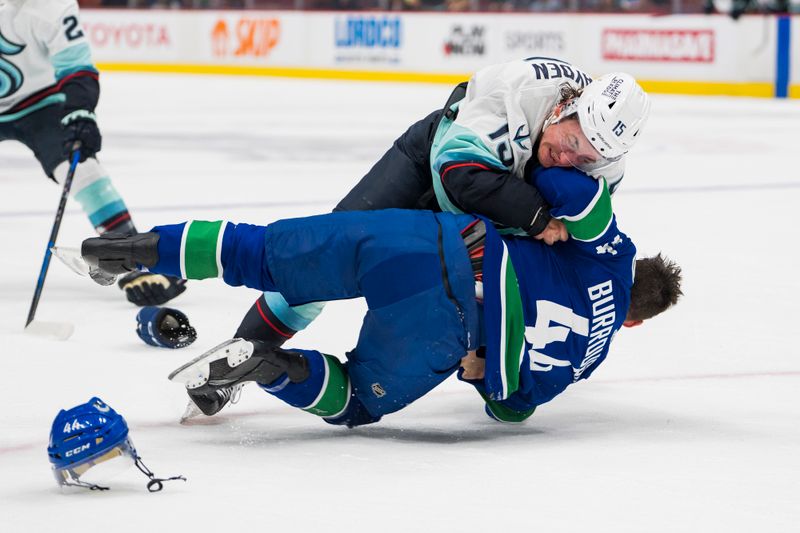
(41, 43)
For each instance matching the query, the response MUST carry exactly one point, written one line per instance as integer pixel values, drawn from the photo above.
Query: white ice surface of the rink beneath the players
(691, 424)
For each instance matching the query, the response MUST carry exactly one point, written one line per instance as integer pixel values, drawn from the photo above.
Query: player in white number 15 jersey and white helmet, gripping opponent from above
(475, 156)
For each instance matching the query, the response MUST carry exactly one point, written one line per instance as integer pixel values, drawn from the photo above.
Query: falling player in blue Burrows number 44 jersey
(444, 291)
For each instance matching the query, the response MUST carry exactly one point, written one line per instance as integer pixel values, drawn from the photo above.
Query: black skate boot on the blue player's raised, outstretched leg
(119, 253)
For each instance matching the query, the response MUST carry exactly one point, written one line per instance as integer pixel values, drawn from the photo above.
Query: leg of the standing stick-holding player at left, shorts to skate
(92, 188)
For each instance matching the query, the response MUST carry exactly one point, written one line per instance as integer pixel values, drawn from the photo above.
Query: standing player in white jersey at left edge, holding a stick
(48, 92)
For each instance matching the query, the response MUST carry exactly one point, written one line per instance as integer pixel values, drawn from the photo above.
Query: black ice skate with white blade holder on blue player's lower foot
(238, 361)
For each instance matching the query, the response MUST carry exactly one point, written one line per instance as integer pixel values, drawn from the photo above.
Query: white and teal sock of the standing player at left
(93, 189)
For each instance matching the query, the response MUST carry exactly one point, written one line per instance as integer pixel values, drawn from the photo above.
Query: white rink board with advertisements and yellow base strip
(689, 54)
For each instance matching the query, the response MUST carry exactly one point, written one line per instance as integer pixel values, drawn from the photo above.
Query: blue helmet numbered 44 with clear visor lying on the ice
(89, 435)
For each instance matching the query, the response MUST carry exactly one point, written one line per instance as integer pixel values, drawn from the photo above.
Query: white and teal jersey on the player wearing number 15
(502, 116)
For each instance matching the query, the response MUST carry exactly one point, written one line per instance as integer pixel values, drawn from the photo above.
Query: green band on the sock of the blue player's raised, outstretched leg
(200, 249)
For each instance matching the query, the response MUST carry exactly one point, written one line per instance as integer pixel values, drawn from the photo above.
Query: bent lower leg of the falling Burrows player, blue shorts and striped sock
(405, 349)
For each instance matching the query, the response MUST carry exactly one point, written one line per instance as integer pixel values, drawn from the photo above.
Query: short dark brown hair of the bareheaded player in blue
(656, 287)
